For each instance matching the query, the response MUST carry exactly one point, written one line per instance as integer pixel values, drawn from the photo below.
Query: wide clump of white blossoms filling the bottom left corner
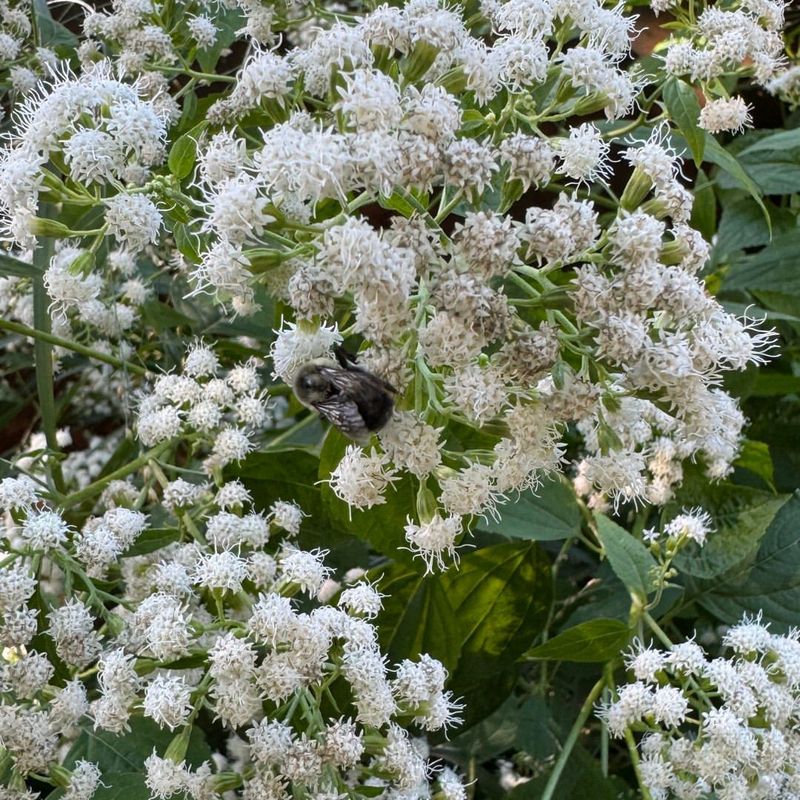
(223, 589)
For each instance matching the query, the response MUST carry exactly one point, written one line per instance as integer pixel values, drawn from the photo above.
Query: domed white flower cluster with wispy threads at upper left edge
(105, 134)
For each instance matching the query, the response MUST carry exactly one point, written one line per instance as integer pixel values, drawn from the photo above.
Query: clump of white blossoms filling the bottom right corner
(719, 727)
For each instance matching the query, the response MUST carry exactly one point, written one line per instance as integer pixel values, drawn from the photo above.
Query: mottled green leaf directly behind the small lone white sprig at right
(741, 516)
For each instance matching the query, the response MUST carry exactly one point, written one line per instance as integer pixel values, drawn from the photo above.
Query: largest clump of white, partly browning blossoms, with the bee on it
(484, 310)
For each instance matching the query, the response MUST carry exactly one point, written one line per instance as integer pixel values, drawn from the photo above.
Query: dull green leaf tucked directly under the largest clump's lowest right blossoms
(551, 513)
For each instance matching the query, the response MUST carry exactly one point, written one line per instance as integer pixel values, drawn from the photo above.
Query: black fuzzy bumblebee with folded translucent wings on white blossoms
(357, 402)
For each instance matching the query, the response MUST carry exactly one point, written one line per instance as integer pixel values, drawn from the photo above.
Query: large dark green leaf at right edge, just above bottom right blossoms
(768, 583)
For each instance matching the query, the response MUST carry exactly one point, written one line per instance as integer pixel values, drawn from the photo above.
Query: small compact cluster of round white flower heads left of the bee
(200, 403)
